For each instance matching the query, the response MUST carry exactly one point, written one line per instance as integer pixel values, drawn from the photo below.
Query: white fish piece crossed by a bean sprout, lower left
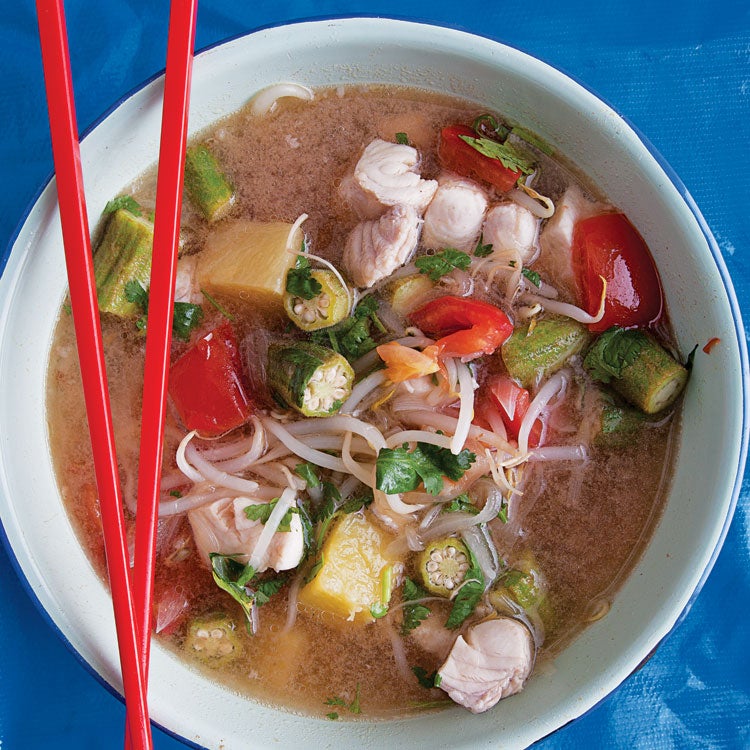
(222, 526)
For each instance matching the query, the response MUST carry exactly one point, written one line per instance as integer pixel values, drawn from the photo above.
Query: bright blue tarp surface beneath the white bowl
(679, 70)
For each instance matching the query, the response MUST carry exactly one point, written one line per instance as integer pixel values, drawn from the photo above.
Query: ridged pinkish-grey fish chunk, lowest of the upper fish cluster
(376, 248)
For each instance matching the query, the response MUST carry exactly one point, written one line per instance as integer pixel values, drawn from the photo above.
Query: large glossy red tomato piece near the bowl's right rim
(609, 246)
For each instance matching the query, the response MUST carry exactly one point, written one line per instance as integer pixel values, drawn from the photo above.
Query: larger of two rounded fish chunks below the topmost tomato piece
(454, 217)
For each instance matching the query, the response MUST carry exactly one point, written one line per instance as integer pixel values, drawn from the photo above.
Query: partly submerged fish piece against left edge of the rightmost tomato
(556, 239)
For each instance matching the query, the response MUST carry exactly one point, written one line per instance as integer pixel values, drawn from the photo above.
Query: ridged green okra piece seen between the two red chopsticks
(123, 255)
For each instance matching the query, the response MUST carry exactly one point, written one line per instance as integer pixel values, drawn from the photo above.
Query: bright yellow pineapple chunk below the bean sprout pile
(349, 583)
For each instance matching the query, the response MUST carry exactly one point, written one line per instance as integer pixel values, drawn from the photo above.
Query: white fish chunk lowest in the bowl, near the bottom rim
(490, 662)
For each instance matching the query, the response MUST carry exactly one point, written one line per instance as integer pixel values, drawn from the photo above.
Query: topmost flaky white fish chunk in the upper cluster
(387, 174)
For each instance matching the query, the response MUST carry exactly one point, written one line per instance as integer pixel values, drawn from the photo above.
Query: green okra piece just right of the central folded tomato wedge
(532, 354)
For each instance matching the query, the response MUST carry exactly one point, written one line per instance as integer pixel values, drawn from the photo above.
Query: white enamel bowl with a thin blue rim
(701, 303)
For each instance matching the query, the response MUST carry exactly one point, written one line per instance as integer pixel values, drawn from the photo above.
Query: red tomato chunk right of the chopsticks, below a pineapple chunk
(205, 384)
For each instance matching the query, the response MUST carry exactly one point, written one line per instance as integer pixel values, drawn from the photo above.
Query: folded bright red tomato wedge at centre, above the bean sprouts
(466, 328)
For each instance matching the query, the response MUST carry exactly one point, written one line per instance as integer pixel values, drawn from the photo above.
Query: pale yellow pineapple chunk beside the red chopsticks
(248, 260)
